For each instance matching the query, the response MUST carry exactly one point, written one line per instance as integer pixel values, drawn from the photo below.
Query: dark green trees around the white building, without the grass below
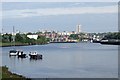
(22, 38)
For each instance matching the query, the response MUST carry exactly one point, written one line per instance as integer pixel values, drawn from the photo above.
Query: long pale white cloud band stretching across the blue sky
(58, 11)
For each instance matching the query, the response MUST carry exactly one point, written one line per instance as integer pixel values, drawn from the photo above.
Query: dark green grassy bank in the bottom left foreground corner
(7, 75)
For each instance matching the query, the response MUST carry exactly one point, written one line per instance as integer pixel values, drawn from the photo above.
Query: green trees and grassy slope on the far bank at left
(21, 39)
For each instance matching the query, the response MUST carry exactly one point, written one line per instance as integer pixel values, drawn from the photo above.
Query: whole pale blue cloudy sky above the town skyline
(60, 16)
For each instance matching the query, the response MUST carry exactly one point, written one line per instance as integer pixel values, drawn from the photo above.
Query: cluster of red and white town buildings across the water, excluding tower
(55, 36)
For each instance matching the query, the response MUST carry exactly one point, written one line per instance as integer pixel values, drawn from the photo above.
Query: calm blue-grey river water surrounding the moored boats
(65, 60)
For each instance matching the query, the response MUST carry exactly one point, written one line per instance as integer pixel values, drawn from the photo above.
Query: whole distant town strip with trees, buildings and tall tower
(46, 36)
